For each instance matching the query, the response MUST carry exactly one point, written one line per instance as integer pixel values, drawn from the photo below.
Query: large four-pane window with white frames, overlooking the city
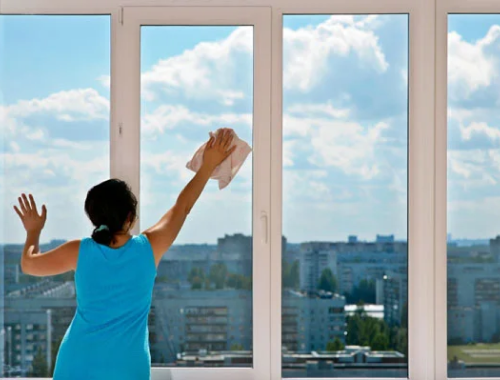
(343, 198)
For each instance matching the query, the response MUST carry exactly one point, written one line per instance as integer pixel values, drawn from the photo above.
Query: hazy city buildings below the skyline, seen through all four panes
(187, 327)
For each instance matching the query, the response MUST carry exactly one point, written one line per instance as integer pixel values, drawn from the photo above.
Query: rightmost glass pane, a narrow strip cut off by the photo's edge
(473, 200)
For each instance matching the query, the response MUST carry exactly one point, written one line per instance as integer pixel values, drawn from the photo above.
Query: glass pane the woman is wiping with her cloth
(195, 80)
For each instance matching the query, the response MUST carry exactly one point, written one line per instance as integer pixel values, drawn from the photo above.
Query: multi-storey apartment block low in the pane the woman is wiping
(190, 321)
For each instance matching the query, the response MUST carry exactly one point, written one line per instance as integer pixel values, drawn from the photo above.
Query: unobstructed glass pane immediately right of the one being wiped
(345, 176)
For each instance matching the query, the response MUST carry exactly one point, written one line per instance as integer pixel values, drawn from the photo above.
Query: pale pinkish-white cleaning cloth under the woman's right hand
(227, 170)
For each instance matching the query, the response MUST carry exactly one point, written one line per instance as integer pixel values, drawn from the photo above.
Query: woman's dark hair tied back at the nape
(109, 205)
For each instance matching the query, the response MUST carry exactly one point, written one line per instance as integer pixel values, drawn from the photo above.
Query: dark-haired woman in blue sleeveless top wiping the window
(114, 273)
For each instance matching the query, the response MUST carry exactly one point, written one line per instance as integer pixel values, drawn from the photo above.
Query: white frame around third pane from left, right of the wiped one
(420, 163)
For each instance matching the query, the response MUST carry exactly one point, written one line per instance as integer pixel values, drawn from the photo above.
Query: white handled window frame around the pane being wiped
(129, 110)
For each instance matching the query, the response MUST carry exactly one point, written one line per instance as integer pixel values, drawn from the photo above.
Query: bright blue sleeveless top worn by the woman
(108, 336)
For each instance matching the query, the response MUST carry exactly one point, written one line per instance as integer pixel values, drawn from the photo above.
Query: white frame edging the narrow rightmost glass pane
(443, 9)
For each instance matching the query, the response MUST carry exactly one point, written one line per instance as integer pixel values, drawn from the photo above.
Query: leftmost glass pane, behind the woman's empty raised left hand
(54, 119)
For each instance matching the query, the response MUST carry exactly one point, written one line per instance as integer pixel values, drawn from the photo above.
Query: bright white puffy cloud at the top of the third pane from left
(307, 49)
